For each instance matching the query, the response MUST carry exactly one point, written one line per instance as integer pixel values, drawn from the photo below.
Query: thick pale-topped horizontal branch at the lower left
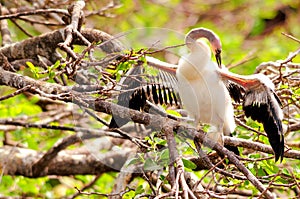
(18, 161)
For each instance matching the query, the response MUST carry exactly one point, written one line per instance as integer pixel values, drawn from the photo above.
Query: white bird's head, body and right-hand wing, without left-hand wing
(206, 89)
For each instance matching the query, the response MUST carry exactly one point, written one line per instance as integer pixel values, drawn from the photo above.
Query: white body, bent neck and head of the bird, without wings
(203, 93)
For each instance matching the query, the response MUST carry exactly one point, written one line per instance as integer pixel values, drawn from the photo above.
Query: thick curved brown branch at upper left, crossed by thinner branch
(45, 45)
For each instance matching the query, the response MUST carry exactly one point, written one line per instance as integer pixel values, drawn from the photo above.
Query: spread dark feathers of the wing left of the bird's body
(159, 89)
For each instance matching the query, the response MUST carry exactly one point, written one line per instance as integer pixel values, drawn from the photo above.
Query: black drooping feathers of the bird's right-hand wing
(263, 105)
